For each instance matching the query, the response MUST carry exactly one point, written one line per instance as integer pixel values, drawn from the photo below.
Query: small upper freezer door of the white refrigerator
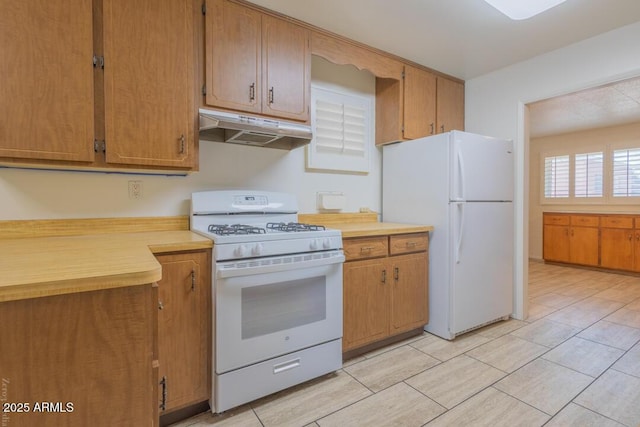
(482, 168)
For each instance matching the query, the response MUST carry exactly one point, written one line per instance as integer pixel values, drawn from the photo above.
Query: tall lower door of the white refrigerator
(481, 263)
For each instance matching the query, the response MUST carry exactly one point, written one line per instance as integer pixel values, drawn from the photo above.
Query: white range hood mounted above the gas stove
(220, 126)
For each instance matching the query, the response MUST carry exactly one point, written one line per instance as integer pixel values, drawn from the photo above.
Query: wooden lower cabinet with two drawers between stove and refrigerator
(385, 288)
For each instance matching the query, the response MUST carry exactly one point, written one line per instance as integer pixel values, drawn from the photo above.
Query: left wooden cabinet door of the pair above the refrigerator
(419, 103)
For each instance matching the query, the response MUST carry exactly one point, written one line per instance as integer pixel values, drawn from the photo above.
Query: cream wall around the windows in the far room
(595, 139)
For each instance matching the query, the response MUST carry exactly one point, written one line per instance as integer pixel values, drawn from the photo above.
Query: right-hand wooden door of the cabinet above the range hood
(286, 69)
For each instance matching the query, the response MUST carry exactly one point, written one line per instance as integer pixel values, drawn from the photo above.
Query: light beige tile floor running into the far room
(574, 362)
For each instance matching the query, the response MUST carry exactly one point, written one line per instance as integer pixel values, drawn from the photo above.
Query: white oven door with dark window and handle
(269, 307)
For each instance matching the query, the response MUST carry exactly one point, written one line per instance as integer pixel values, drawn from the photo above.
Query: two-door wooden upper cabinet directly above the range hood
(256, 63)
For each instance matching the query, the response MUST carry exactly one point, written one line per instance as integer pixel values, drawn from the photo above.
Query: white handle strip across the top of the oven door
(249, 267)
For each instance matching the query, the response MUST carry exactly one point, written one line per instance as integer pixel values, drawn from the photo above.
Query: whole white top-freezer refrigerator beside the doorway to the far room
(462, 184)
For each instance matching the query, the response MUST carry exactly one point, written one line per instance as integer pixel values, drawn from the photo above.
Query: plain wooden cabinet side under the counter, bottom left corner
(83, 359)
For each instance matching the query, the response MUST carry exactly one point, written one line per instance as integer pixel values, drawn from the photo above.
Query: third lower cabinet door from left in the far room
(616, 248)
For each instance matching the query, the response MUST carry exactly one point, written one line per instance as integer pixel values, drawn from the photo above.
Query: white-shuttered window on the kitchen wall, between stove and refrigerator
(342, 125)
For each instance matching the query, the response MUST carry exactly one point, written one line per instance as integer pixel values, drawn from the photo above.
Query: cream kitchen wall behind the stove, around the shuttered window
(32, 194)
